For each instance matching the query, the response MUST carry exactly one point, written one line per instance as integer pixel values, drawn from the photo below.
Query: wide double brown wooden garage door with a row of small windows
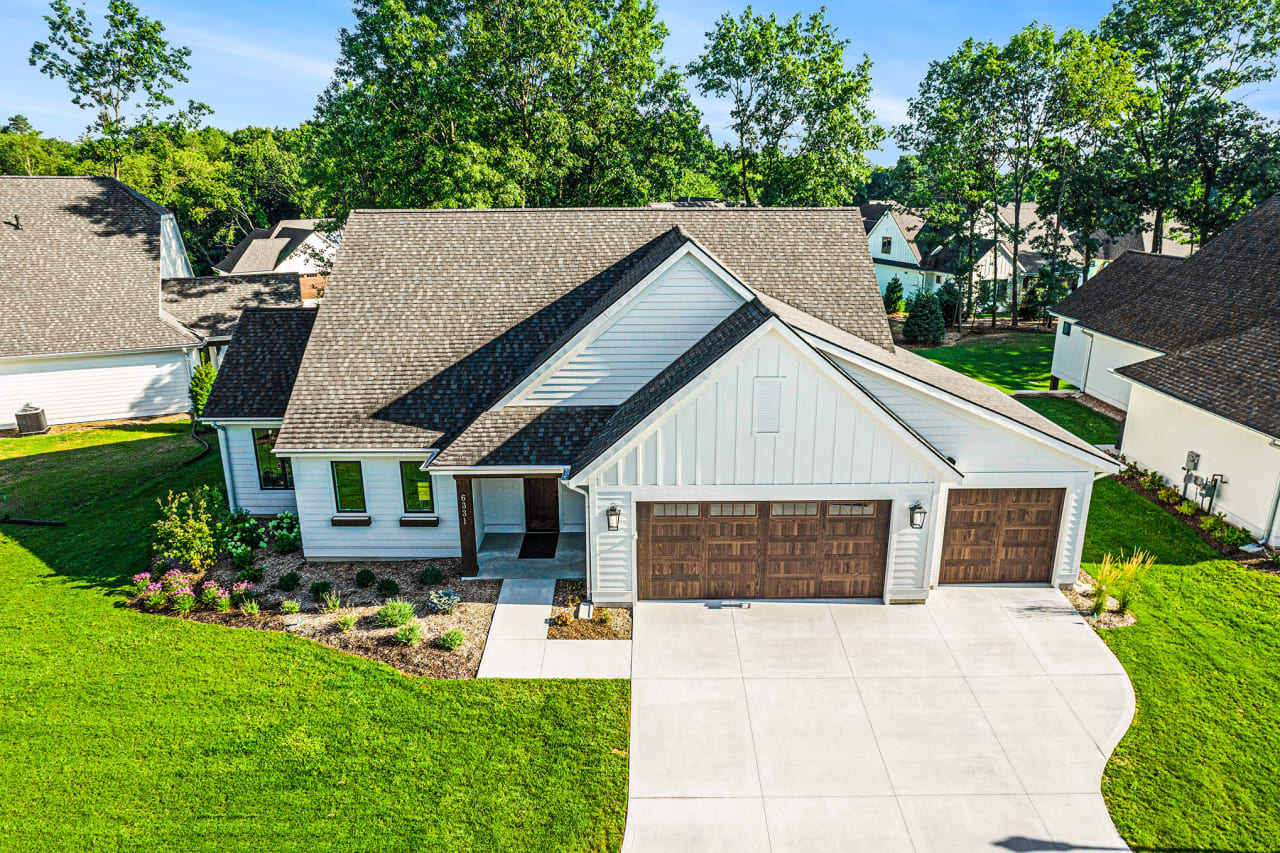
(762, 550)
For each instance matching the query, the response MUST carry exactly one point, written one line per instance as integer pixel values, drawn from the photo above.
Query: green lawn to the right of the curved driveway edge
(1199, 768)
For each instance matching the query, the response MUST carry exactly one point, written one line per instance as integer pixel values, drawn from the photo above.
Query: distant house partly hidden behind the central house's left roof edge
(289, 247)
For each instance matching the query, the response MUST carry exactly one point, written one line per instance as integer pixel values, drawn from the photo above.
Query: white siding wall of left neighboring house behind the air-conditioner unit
(97, 387)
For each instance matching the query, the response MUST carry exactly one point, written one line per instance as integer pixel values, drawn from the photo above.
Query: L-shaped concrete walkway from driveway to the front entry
(518, 646)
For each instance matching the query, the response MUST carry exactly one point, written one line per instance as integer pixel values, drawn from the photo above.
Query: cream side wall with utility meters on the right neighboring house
(1159, 431)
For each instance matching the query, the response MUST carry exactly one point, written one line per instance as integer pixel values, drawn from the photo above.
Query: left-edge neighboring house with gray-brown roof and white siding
(84, 331)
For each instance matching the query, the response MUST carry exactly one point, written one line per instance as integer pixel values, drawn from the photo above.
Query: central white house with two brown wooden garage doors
(694, 403)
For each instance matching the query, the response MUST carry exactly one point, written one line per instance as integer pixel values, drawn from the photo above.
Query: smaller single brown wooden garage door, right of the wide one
(1000, 536)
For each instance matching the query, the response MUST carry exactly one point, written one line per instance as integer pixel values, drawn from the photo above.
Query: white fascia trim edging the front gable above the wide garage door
(927, 453)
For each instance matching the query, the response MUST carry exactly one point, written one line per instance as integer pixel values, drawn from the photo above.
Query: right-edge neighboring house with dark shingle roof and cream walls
(1191, 349)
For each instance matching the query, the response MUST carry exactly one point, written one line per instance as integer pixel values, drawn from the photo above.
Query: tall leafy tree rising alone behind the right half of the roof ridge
(802, 120)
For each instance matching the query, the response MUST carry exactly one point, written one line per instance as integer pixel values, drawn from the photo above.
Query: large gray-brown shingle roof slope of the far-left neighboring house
(83, 273)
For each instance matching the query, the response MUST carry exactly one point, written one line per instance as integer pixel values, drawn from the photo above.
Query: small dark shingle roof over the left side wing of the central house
(262, 366)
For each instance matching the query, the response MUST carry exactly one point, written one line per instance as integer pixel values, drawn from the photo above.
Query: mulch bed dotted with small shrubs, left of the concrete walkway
(368, 638)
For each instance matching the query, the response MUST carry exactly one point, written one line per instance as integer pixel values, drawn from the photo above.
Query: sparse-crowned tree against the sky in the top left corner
(125, 77)
